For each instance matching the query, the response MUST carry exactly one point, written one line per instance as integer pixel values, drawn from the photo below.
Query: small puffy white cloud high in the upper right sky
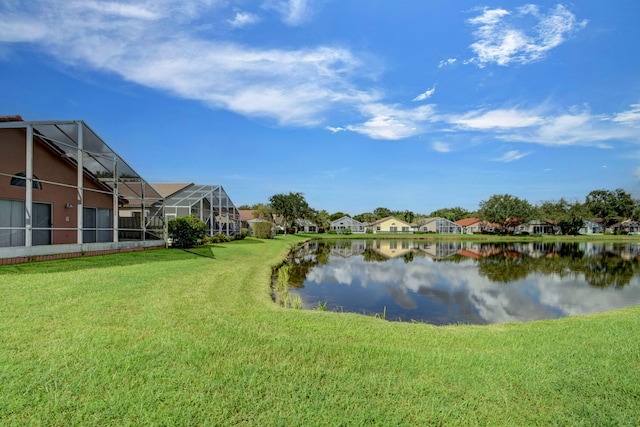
(504, 38)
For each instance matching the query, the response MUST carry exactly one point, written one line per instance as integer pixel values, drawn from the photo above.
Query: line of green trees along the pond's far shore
(606, 206)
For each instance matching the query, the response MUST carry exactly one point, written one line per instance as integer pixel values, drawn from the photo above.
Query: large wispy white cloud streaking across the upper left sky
(156, 44)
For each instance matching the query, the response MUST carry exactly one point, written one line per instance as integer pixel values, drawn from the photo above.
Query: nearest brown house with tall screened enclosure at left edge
(64, 192)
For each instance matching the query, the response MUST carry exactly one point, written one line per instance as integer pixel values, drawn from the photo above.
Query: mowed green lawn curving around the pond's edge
(171, 338)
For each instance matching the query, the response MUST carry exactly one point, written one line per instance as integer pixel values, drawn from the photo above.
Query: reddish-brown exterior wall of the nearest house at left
(48, 166)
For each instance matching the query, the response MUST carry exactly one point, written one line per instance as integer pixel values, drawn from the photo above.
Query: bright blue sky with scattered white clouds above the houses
(408, 105)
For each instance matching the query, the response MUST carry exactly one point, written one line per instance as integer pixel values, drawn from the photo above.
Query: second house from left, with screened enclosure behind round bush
(210, 203)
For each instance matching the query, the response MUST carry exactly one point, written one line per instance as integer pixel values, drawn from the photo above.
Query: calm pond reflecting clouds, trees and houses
(447, 282)
